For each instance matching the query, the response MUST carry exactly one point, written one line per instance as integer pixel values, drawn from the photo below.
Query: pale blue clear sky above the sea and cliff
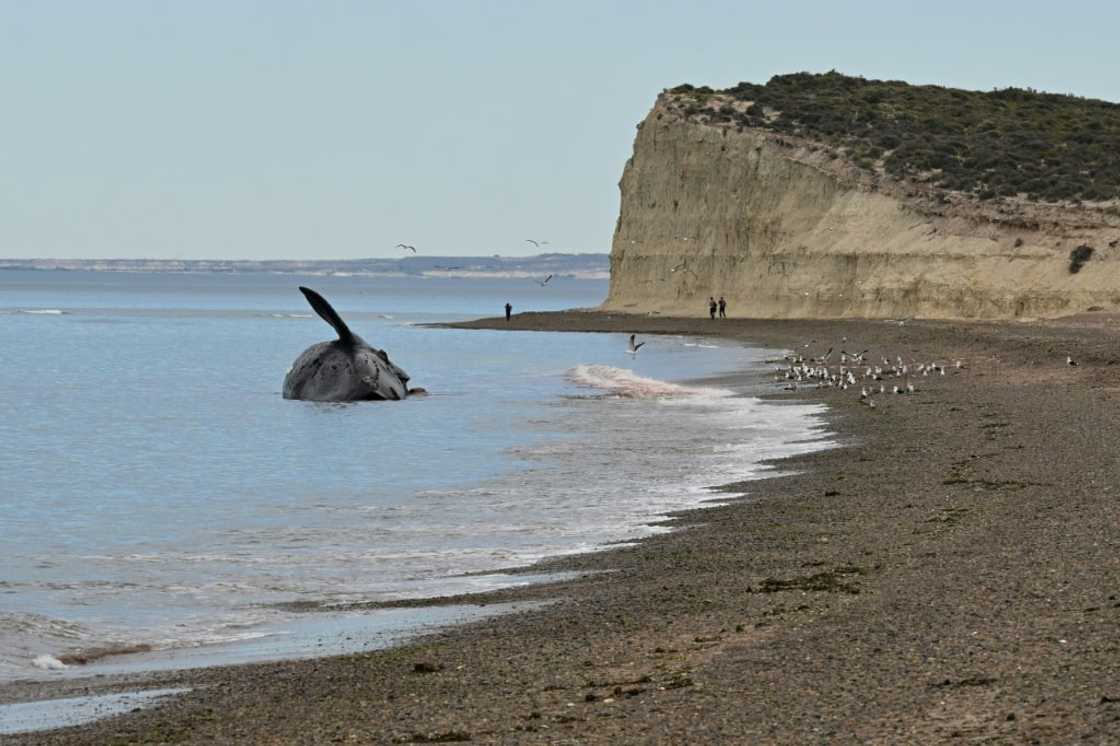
(227, 129)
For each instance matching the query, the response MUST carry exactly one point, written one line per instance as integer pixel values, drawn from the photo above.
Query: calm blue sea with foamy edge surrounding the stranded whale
(156, 490)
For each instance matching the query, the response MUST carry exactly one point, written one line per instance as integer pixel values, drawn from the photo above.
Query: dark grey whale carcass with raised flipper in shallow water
(346, 369)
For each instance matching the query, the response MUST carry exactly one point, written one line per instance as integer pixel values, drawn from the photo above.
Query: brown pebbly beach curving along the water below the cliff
(953, 573)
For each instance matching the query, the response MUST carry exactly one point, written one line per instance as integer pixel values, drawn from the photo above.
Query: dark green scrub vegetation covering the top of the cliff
(1003, 143)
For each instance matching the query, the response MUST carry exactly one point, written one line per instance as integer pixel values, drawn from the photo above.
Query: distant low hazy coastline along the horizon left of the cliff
(584, 267)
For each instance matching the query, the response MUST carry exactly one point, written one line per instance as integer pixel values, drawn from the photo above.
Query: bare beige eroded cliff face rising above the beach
(786, 228)
